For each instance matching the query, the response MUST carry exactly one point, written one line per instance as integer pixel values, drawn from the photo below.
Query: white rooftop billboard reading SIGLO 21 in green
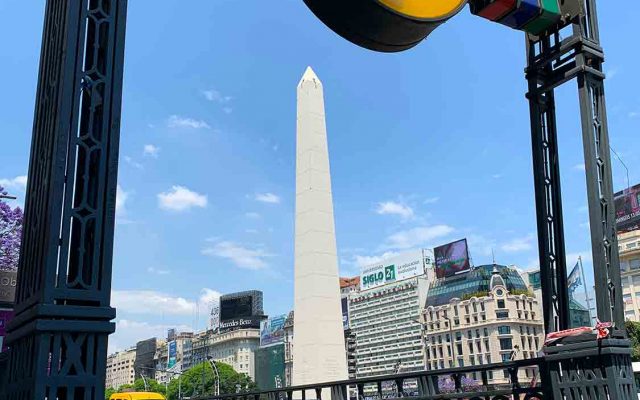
(404, 266)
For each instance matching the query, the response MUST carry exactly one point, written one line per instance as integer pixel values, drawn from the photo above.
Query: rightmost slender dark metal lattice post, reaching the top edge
(595, 138)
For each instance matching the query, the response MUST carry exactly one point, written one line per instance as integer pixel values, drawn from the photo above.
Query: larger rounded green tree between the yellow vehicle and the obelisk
(191, 381)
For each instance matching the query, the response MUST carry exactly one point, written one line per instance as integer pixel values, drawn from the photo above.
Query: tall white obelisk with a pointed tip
(318, 350)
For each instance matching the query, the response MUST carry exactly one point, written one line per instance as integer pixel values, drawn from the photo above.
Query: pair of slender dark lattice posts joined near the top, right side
(552, 62)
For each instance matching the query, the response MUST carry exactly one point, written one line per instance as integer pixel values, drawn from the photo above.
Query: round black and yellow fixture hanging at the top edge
(384, 25)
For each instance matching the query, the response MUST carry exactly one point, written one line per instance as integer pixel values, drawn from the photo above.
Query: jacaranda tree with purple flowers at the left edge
(10, 234)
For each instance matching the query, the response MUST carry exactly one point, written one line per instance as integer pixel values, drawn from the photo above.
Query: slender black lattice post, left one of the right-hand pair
(546, 175)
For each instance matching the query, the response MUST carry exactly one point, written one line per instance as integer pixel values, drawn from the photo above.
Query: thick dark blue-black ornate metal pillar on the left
(58, 338)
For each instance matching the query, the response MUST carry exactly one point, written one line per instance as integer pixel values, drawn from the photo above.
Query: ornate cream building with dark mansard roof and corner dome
(484, 316)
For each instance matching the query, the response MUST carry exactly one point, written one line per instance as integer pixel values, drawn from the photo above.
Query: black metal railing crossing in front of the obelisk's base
(450, 383)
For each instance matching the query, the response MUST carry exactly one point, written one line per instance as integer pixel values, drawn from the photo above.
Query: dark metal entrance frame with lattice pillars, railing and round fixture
(58, 338)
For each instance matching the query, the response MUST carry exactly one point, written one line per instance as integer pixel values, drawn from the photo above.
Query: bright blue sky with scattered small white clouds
(425, 146)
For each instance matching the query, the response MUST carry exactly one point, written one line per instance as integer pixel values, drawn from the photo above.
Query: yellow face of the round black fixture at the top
(433, 10)
